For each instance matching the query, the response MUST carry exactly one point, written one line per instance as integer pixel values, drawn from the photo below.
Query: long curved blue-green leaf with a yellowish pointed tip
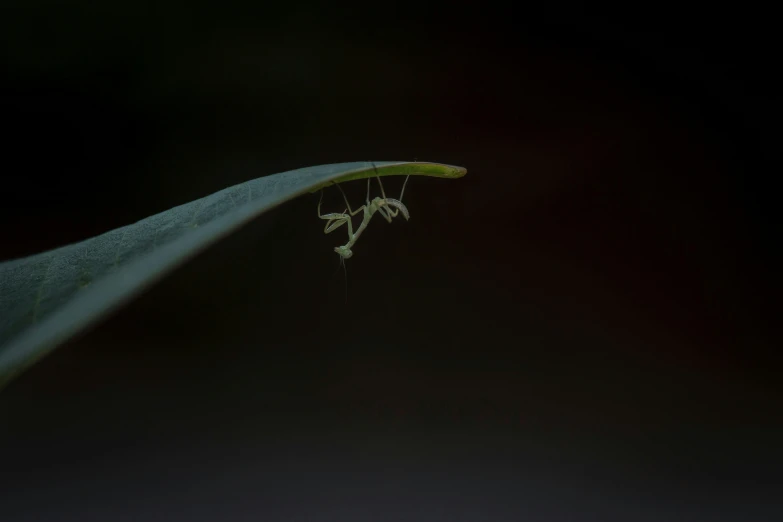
(47, 298)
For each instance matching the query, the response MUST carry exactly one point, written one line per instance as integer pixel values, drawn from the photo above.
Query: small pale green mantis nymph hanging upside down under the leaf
(387, 207)
